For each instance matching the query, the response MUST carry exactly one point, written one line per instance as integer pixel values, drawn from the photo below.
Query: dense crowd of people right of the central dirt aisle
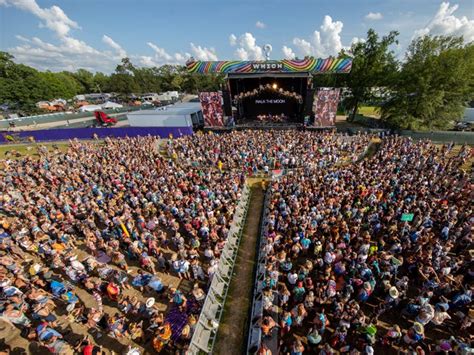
(373, 256)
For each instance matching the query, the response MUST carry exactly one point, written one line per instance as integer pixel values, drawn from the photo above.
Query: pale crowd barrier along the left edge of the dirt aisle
(205, 333)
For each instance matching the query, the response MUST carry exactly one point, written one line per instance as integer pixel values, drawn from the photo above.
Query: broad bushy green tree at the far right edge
(434, 84)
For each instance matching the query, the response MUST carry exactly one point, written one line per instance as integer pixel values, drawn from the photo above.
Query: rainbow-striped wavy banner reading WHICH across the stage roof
(307, 65)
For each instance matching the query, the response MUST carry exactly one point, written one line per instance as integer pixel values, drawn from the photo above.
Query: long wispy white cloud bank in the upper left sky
(69, 53)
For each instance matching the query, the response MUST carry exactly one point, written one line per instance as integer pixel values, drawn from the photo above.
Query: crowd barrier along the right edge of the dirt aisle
(255, 332)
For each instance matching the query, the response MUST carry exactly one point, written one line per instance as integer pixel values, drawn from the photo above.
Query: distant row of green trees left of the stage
(21, 86)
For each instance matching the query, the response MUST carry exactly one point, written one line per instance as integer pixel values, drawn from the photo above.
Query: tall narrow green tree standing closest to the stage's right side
(373, 66)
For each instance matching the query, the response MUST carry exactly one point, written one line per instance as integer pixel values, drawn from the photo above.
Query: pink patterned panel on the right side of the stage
(325, 107)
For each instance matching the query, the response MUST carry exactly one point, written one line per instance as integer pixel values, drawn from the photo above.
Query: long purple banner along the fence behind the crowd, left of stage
(59, 134)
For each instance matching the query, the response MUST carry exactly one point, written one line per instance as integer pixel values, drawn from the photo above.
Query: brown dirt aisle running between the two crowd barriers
(232, 333)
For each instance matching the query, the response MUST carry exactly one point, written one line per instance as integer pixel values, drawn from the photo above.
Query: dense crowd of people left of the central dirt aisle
(88, 237)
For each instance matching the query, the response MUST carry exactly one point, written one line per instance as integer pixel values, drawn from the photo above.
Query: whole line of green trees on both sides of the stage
(427, 89)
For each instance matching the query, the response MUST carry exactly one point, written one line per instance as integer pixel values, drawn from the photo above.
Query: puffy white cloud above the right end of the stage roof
(323, 43)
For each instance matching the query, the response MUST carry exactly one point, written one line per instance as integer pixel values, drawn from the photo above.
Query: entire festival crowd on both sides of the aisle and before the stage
(123, 241)
